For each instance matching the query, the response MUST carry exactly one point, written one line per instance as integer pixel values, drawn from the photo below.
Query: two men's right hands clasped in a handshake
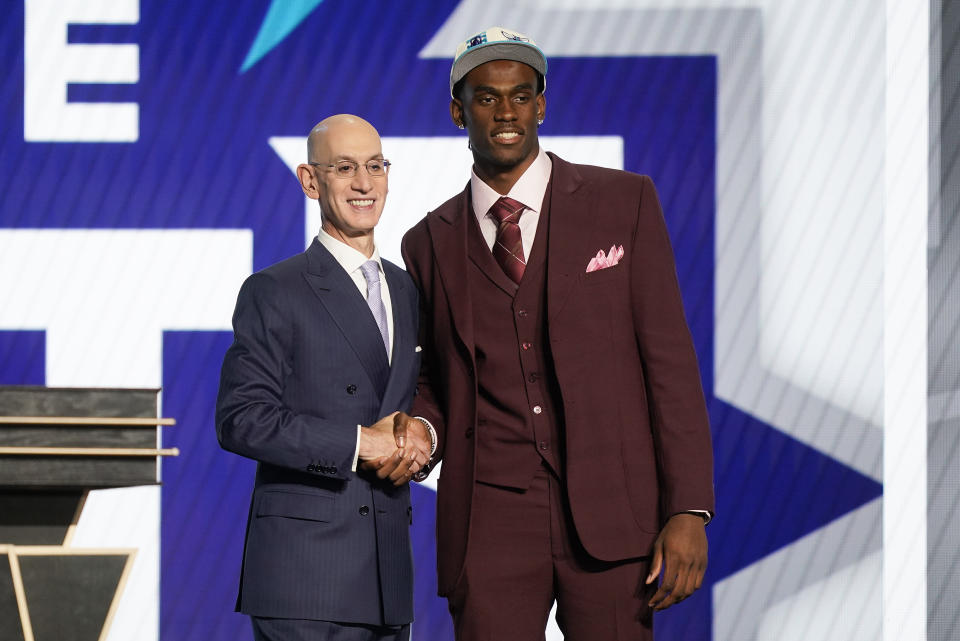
(396, 448)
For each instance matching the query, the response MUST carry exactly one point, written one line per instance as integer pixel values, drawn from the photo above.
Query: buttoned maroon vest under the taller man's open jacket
(518, 425)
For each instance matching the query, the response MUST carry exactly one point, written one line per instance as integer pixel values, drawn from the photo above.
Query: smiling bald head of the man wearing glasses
(350, 207)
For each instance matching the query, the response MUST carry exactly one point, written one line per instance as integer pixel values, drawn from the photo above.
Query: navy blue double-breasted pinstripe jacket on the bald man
(306, 366)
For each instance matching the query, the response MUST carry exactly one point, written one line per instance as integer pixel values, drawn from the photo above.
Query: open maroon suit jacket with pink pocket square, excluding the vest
(637, 439)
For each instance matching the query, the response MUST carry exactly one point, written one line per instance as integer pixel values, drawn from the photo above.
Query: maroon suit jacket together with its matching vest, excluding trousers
(590, 374)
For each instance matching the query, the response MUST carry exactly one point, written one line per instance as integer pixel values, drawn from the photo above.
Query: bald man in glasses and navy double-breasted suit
(324, 356)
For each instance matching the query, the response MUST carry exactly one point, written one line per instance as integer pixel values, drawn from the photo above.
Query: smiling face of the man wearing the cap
(499, 105)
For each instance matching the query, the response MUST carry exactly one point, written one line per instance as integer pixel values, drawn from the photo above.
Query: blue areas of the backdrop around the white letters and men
(209, 98)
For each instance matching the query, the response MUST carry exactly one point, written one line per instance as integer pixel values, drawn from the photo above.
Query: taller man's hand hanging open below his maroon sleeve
(681, 551)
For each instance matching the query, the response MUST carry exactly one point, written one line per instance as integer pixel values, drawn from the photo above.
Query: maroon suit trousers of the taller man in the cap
(523, 553)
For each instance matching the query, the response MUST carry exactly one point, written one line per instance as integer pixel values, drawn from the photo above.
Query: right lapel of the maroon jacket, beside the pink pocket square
(570, 208)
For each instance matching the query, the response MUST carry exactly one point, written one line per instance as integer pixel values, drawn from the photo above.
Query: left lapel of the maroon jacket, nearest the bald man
(448, 232)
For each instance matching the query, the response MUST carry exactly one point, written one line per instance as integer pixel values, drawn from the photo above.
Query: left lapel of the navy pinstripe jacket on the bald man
(349, 311)
